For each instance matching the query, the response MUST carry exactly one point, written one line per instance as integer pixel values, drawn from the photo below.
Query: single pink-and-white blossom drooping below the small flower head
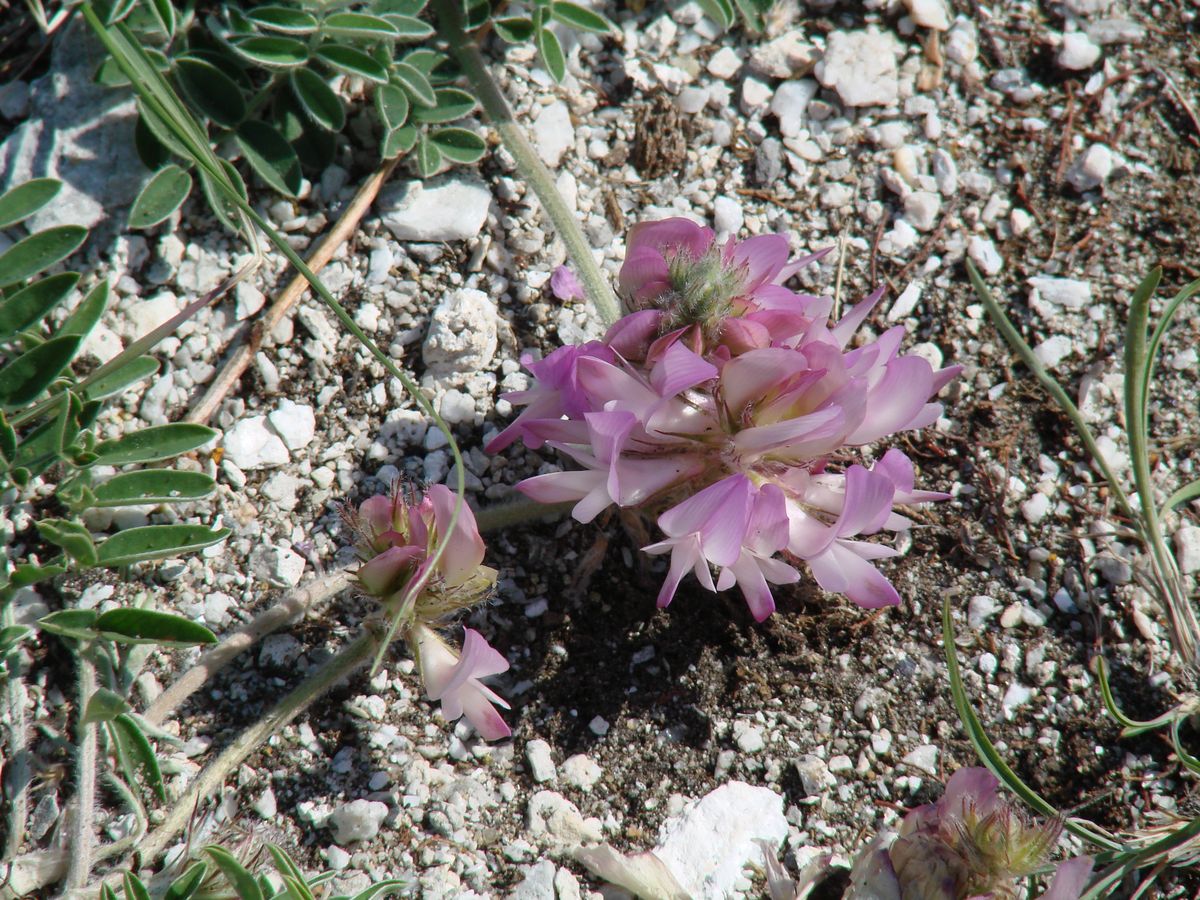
(454, 680)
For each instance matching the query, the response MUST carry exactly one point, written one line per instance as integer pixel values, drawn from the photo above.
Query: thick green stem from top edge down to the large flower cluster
(539, 178)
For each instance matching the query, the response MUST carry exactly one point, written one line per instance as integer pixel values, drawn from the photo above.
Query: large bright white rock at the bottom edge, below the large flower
(709, 845)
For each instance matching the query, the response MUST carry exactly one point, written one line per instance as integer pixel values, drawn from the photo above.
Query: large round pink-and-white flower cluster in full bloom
(734, 405)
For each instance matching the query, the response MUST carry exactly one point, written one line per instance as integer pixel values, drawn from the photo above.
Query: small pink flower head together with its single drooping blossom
(398, 539)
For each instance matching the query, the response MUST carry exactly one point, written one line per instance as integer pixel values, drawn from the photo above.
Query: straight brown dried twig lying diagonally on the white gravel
(334, 239)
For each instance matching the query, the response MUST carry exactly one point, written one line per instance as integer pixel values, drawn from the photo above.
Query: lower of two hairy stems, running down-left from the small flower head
(352, 657)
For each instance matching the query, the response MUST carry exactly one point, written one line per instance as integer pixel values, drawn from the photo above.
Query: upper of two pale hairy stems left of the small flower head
(289, 611)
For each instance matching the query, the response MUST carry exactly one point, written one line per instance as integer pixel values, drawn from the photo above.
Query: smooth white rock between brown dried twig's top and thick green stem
(437, 211)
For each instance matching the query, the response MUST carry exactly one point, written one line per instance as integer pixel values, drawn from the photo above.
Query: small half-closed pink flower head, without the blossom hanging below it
(398, 538)
